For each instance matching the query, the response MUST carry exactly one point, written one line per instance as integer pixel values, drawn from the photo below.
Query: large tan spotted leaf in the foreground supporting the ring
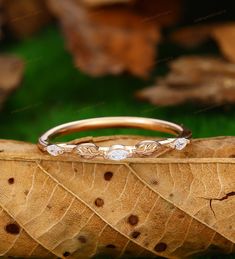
(175, 206)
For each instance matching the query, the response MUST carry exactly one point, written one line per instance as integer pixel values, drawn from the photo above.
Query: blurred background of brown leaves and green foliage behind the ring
(63, 60)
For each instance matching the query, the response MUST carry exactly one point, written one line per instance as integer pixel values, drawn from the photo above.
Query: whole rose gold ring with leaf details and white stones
(118, 151)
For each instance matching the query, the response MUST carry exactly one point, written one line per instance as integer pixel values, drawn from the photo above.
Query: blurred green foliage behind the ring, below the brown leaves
(54, 91)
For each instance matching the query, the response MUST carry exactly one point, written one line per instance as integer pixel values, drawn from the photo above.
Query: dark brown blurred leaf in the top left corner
(25, 17)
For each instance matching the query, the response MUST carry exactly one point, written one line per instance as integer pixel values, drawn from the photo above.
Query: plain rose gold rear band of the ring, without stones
(113, 122)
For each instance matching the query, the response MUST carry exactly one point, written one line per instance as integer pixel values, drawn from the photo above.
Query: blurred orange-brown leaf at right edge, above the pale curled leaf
(223, 34)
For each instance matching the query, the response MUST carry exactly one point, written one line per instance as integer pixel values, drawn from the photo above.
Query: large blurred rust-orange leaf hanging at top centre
(109, 39)
